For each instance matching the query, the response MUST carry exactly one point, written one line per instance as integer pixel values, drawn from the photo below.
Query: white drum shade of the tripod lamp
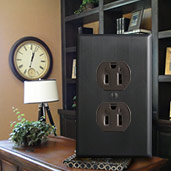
(40, 91)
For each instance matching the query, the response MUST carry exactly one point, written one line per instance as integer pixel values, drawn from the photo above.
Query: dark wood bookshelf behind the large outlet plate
(106, 14)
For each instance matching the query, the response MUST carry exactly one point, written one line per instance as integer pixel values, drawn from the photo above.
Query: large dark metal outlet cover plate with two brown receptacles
(114, 118)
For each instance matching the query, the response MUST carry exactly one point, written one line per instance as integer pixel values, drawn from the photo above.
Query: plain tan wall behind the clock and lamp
(20, 18)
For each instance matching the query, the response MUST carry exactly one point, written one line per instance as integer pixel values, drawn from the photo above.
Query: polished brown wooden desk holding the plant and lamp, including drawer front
(50, 156)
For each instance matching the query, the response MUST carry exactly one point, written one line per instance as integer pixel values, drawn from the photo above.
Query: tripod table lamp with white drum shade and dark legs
(42, 92)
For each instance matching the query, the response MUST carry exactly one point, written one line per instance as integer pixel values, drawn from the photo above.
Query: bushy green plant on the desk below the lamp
(29, 133)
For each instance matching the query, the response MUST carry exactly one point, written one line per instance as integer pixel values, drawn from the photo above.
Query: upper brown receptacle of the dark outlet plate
(113, 75)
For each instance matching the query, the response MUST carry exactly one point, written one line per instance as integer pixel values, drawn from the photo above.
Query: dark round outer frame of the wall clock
(13, 53)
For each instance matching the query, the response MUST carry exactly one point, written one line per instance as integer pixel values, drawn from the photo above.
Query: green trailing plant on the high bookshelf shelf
(86, 5)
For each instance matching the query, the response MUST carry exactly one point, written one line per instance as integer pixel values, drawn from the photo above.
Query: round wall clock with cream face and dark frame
(30, 59)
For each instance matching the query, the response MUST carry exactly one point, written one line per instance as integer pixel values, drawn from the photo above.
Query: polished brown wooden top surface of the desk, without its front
(52, 154)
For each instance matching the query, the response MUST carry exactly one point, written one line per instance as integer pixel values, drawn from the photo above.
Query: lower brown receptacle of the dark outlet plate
(113, 116)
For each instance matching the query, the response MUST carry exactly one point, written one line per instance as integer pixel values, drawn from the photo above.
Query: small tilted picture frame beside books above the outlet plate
(135, 21)
